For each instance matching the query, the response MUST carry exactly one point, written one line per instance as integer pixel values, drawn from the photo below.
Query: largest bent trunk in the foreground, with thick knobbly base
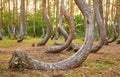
(22, 58)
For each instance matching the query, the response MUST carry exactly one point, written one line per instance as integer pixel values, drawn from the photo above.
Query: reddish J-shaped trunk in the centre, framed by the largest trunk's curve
(71, 35)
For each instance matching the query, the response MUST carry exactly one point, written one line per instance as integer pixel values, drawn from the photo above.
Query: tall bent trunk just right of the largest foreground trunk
(101, 28)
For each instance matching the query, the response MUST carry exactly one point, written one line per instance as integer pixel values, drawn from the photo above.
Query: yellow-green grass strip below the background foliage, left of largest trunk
(29, 41)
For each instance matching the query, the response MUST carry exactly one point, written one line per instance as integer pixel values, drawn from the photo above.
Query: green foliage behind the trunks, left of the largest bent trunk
(78, 21)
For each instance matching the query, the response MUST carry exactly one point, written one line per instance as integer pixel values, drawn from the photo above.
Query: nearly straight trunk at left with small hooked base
(22, 11)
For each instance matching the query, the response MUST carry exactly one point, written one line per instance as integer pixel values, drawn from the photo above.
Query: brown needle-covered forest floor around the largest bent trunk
(104, 63)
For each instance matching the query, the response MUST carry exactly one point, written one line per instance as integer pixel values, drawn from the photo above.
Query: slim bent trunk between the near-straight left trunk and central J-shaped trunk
(47, 36)
